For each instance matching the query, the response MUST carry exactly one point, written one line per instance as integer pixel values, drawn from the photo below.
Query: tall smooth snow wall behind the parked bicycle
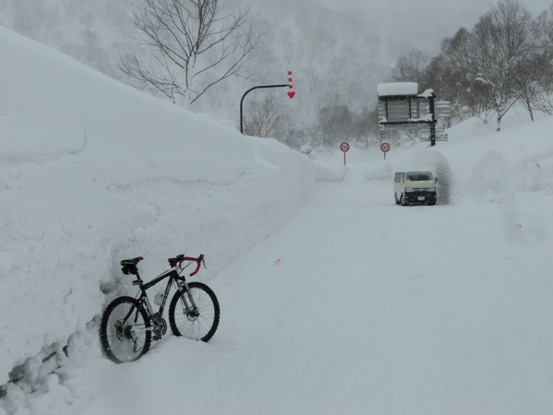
(92, 171)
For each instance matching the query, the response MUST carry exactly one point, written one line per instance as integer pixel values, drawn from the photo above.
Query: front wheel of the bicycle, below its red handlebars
(194, 313)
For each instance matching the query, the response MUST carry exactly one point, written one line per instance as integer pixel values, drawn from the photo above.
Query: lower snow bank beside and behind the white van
(478, 164)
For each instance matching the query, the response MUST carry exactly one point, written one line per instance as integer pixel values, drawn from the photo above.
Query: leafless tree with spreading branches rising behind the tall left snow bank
(194, 44)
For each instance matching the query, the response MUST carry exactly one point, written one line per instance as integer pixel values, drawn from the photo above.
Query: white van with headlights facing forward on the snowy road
(415, 187)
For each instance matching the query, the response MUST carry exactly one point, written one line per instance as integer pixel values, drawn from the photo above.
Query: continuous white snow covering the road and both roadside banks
(333, 299)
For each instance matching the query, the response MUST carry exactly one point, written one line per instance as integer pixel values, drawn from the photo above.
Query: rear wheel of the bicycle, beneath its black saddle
(125, 330)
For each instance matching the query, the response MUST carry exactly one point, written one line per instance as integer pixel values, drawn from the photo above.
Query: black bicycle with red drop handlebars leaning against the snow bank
(129, 324)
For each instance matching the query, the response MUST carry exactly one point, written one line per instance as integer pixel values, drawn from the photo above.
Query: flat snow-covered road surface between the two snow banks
(358, 306)
